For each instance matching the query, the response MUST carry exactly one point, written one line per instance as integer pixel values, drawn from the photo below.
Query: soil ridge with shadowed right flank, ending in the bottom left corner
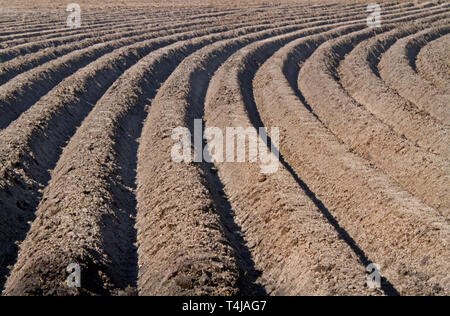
(96, 218)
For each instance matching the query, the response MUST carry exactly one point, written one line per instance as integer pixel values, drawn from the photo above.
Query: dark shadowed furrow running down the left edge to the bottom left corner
(22, 199)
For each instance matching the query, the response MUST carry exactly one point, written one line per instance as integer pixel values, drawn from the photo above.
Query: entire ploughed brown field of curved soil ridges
(86, 174)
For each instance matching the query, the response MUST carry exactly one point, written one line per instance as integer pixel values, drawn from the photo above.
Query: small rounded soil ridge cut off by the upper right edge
(433, 63)
